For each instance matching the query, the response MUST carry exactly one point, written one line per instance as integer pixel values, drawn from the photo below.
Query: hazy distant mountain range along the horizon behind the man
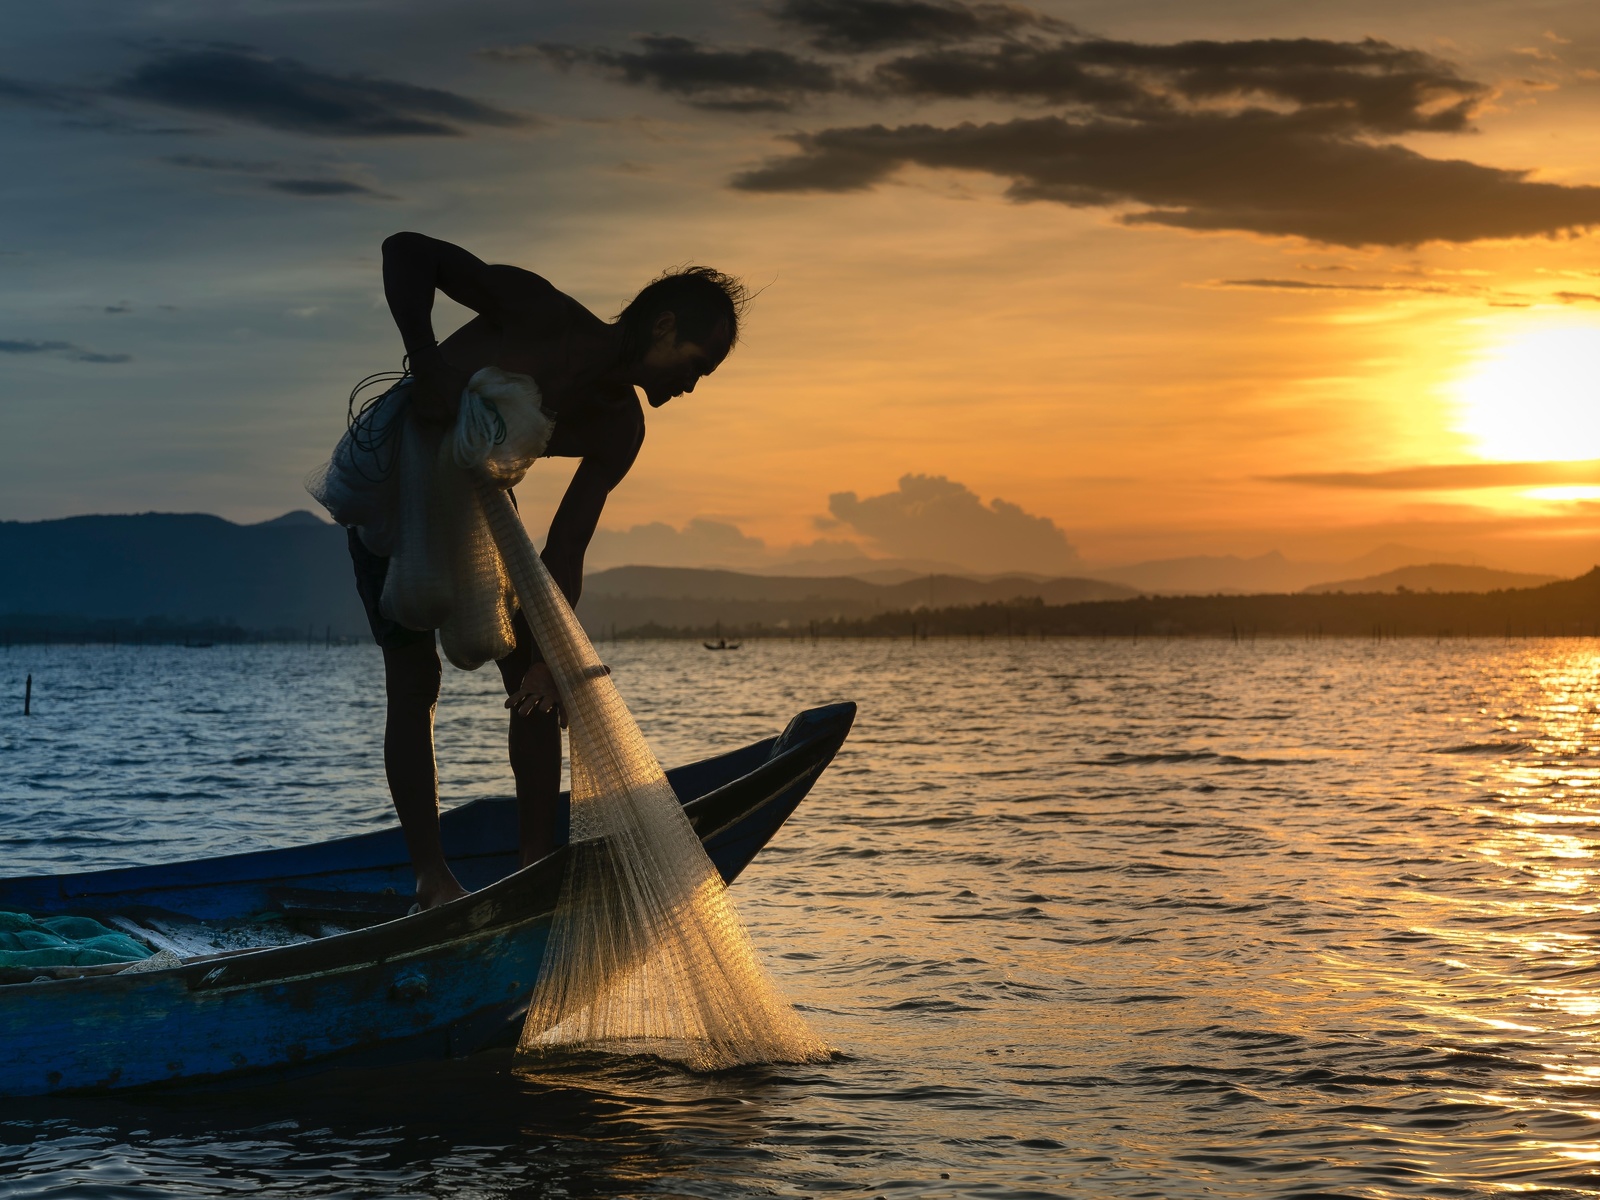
(292, 577)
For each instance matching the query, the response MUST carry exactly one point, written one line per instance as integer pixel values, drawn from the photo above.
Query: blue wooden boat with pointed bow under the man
(300, 959)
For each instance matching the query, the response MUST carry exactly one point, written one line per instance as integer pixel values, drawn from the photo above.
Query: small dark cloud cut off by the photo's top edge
(857, 26)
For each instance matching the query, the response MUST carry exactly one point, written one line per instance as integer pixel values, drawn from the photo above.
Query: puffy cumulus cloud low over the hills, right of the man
(935, 518)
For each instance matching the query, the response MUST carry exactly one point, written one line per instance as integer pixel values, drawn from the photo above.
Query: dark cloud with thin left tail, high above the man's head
(710, 78)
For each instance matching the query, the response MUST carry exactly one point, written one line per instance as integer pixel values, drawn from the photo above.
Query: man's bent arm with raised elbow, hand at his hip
(415, 268)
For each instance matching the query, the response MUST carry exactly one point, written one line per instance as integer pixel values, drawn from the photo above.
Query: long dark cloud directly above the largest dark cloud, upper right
(1334, 86)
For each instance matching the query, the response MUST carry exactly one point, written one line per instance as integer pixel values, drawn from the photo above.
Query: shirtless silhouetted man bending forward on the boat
(676, 332)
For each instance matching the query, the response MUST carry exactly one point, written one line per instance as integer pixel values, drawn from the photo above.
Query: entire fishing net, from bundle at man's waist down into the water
(646, 950)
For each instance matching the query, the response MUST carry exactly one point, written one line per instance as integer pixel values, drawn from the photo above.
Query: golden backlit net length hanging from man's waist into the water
(646, 950)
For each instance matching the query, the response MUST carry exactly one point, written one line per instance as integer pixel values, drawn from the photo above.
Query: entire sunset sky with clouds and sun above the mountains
(1177, 278)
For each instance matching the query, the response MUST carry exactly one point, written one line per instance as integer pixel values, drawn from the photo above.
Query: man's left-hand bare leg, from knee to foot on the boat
(412, 676)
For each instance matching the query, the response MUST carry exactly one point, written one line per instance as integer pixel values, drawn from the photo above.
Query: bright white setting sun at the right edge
(1535, 396)
